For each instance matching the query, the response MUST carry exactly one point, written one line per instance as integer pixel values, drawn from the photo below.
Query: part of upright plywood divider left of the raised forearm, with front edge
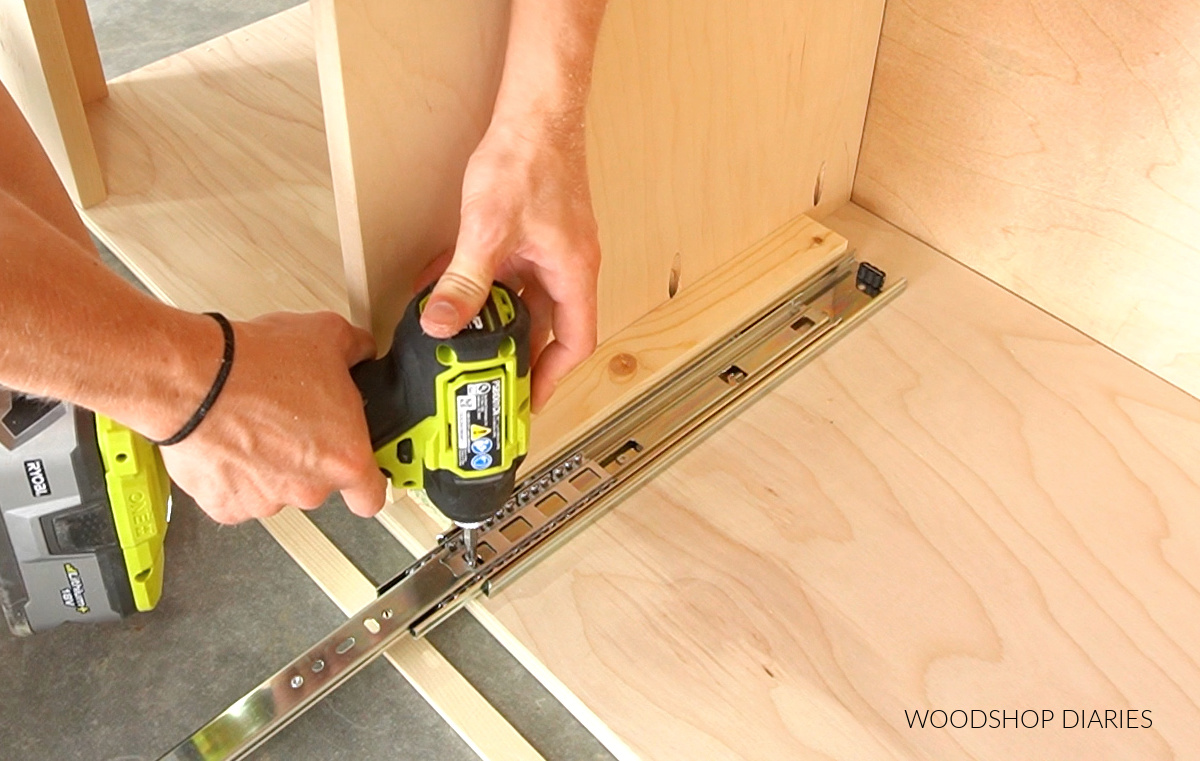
(407, 88)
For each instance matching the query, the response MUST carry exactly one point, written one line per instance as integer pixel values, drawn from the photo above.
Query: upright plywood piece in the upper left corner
(45, 64)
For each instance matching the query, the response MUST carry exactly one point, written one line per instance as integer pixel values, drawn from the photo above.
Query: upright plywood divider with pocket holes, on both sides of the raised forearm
(710, 127)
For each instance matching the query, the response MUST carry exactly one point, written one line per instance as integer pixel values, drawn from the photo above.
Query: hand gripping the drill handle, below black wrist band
(289, 428)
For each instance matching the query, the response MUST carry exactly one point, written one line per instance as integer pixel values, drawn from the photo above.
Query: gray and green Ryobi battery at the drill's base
(85, 505)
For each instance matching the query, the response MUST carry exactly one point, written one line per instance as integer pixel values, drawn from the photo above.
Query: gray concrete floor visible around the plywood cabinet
(236, 608)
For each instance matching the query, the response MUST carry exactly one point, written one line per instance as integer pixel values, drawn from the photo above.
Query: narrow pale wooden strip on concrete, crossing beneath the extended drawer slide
(489, 735)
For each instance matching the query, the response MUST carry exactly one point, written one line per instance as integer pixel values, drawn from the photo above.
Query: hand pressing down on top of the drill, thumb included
(527, 221)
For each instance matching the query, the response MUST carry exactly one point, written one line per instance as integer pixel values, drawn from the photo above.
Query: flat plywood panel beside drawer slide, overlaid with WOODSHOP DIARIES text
(964, 505)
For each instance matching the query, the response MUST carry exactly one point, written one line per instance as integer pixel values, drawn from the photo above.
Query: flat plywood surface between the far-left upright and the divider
(220, 193)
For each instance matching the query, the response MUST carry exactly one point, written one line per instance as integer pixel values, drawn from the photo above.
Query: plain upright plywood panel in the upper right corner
(1054, 147)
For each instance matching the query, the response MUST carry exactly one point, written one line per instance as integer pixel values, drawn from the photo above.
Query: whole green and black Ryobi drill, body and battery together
(86, 502)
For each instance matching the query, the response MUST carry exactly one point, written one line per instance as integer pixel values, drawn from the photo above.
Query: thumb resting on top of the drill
(463, 290)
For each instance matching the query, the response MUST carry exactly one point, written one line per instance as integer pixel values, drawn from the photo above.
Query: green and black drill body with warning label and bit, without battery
(452, 416)
